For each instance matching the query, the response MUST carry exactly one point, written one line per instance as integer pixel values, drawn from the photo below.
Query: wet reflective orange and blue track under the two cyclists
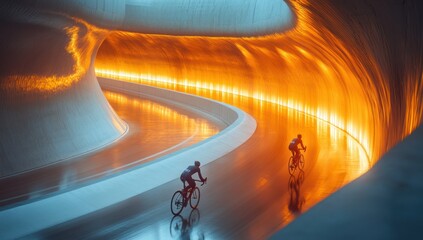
(249, 194)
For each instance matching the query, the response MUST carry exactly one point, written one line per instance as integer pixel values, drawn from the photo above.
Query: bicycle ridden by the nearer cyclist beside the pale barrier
(178, 201)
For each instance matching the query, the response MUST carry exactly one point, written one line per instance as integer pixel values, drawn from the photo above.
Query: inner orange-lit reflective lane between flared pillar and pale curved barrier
(155, 129)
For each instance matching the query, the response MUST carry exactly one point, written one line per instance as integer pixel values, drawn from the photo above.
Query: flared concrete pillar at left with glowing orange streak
(52, 107)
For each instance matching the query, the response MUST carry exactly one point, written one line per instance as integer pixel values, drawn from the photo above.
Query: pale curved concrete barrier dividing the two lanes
(38, 215)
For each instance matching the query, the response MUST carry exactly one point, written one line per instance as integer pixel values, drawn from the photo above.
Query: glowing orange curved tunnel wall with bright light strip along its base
(328, 66)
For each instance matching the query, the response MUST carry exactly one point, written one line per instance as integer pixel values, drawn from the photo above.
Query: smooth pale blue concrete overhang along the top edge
(178, 17)
